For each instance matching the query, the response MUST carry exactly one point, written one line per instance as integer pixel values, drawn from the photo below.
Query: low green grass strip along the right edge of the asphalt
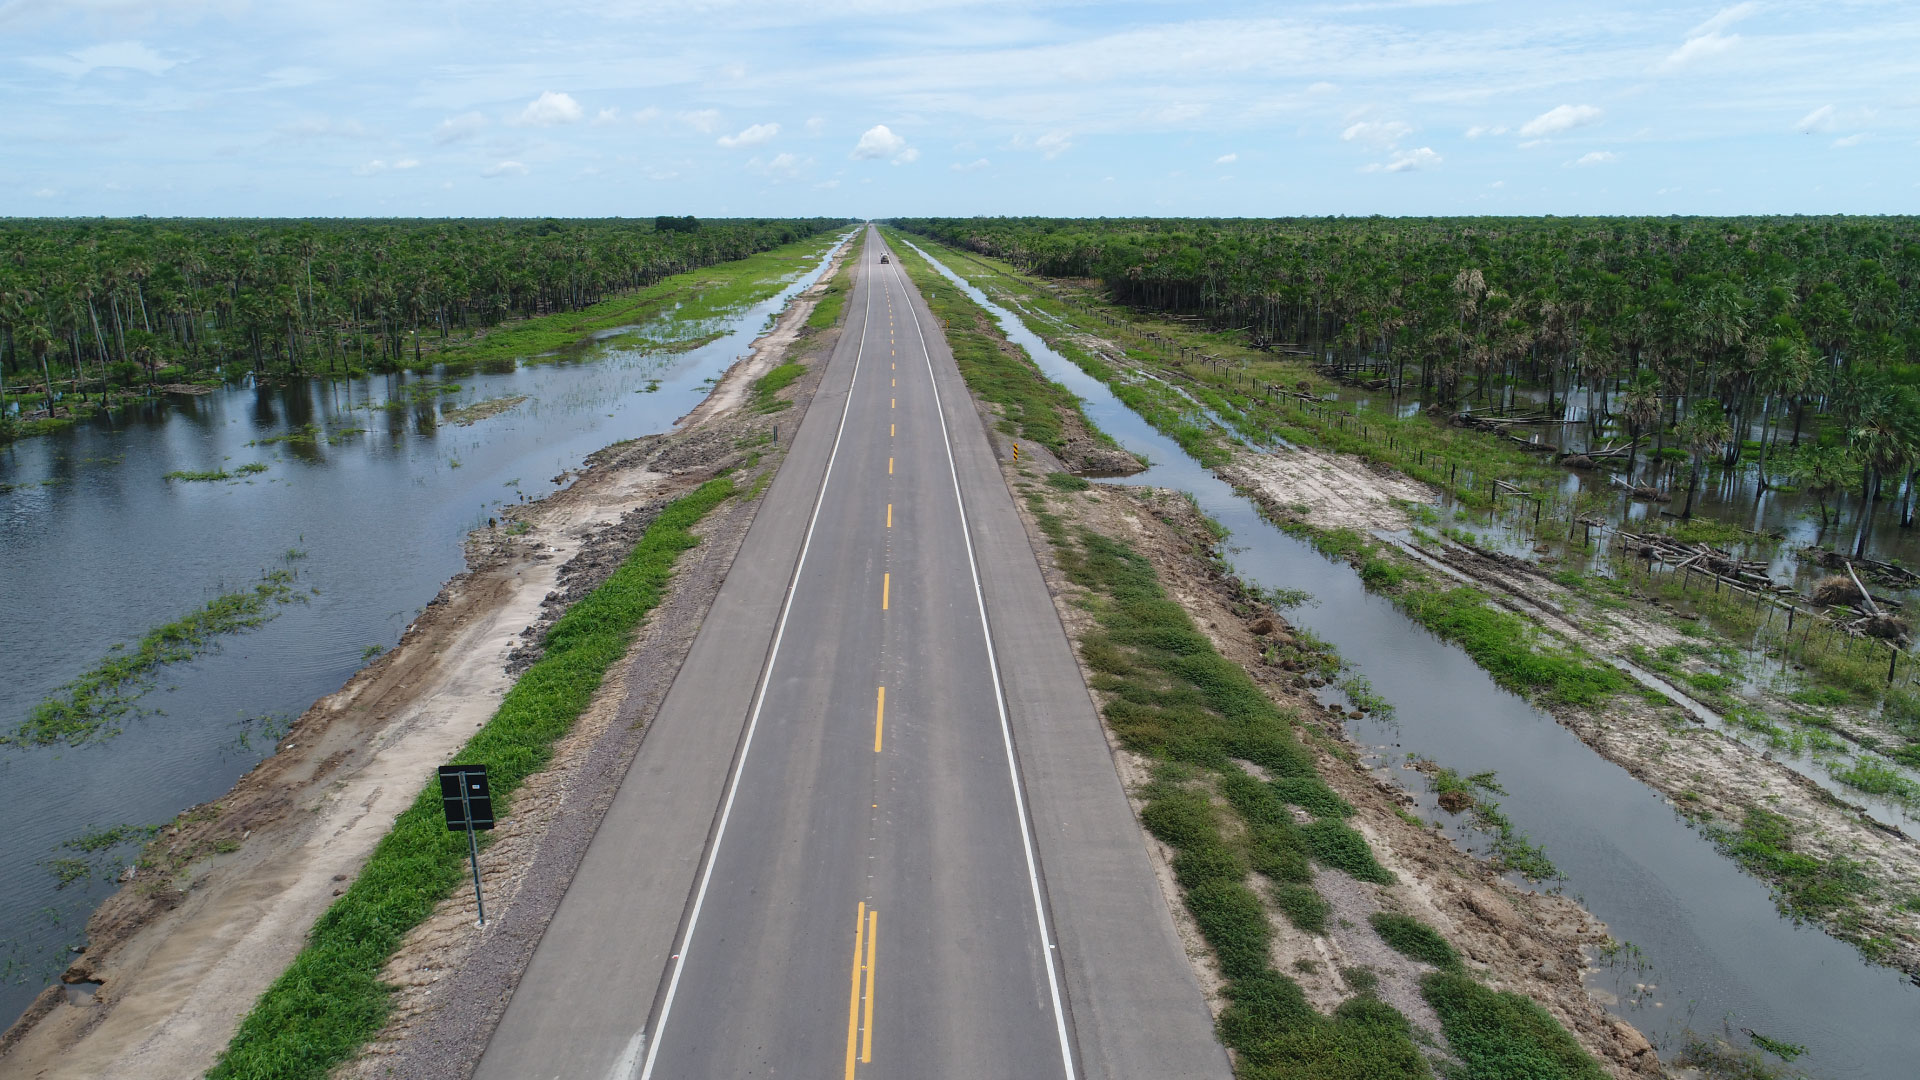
(1191, 712)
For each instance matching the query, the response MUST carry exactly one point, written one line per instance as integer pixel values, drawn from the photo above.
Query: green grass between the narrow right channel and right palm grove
(1510, 649)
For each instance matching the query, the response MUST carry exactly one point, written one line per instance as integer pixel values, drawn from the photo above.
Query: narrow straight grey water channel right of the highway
(1712, 948)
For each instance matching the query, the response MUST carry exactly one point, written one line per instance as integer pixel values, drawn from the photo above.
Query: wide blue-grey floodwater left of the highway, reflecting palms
(97, 549)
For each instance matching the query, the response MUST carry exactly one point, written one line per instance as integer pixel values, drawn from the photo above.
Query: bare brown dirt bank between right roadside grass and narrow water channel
(1535, 945)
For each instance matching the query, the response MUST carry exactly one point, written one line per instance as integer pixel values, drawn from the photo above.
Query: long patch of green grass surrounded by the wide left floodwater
(95, 704)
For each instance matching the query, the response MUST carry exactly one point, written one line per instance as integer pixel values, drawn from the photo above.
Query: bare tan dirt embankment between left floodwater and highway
(222, 902)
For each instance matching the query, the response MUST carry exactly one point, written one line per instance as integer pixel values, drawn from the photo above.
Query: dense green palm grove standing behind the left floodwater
(91, 307)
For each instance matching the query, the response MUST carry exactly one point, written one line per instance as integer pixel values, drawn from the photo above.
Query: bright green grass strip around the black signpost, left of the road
(331, 998)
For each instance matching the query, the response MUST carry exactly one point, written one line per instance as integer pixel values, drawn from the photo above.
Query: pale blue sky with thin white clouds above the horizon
(876, 109)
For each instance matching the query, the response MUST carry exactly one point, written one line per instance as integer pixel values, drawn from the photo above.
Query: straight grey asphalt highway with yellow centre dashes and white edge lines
(876, 829)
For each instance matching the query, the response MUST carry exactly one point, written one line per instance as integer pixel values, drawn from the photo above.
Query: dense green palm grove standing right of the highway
(1787, 345)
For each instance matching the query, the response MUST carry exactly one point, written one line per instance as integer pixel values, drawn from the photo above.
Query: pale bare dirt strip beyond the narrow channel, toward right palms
(1702, 772)
